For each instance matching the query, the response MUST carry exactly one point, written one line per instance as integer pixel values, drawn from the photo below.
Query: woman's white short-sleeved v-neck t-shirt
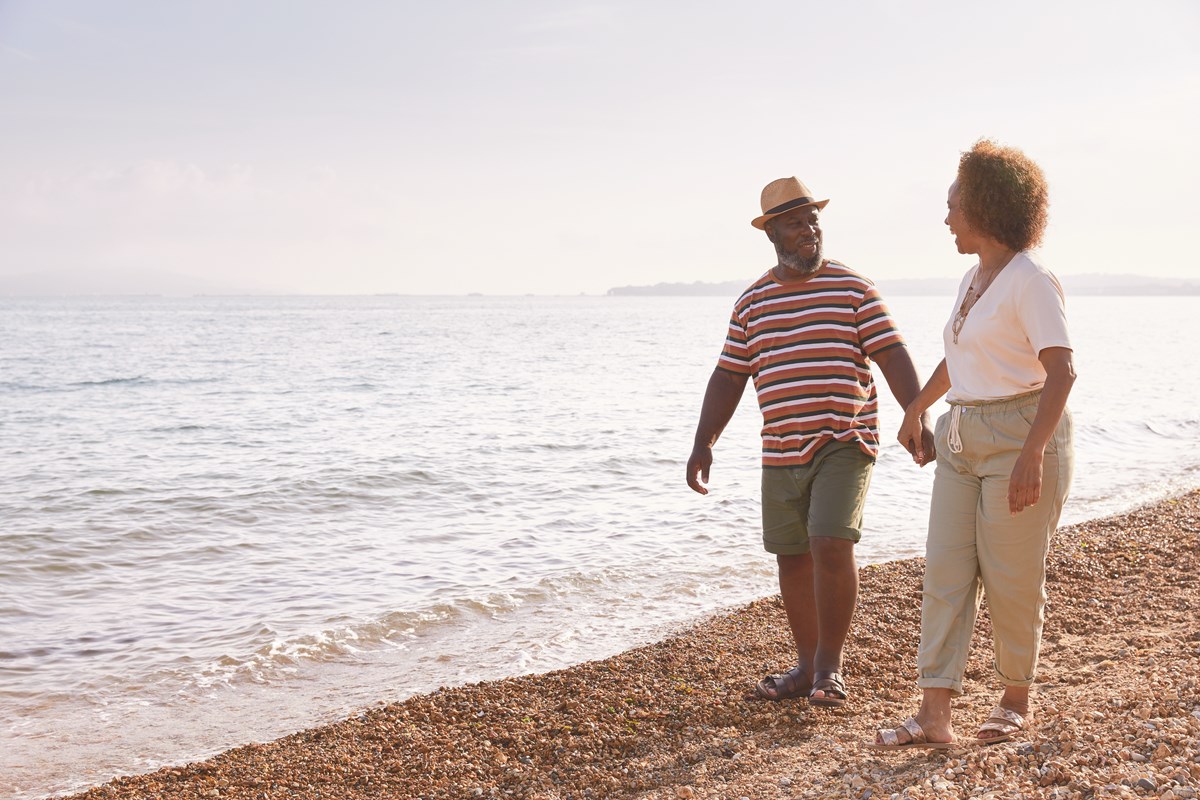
(1021, 315)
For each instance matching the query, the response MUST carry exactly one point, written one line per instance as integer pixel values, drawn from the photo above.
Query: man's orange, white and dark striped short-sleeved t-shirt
(807, 346)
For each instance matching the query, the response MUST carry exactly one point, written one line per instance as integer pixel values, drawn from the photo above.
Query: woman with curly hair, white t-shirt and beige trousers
(1004, 450)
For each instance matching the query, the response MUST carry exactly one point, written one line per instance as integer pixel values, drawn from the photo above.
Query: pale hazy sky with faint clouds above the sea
(513, 147)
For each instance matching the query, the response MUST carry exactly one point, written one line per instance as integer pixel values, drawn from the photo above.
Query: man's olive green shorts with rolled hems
(823, 498)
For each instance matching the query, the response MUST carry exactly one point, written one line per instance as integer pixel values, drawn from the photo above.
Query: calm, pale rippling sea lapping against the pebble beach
(225, 520)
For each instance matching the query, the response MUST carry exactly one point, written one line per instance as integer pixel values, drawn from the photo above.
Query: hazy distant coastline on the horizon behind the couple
(1075, 285)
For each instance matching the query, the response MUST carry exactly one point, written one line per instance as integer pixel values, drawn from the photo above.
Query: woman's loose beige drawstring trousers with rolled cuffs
(976, 545)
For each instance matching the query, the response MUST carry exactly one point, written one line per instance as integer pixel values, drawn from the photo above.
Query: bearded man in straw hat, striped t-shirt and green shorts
(807, 332)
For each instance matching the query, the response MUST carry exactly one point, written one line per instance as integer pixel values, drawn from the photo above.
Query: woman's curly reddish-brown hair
(1004, 195)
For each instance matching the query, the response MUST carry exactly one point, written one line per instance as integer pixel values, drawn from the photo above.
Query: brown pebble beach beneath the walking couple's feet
(1117, 708)
